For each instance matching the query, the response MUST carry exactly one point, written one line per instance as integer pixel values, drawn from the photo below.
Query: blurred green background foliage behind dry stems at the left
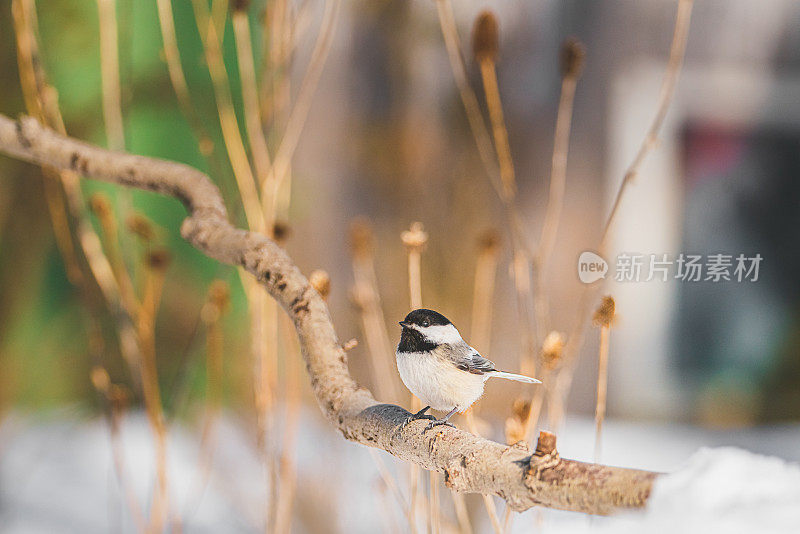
(45, 355)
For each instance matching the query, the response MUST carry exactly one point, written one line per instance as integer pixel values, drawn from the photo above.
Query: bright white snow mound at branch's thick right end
(723, 490)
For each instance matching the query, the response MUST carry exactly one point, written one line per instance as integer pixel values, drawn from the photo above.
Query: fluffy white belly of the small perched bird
(438, 383)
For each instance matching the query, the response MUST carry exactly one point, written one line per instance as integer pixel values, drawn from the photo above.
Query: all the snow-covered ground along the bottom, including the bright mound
(57, 476)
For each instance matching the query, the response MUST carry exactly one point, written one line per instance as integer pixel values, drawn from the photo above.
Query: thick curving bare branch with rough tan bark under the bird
(522, 477)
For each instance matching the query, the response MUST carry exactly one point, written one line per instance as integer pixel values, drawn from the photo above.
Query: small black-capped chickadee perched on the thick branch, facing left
(438, 366)
